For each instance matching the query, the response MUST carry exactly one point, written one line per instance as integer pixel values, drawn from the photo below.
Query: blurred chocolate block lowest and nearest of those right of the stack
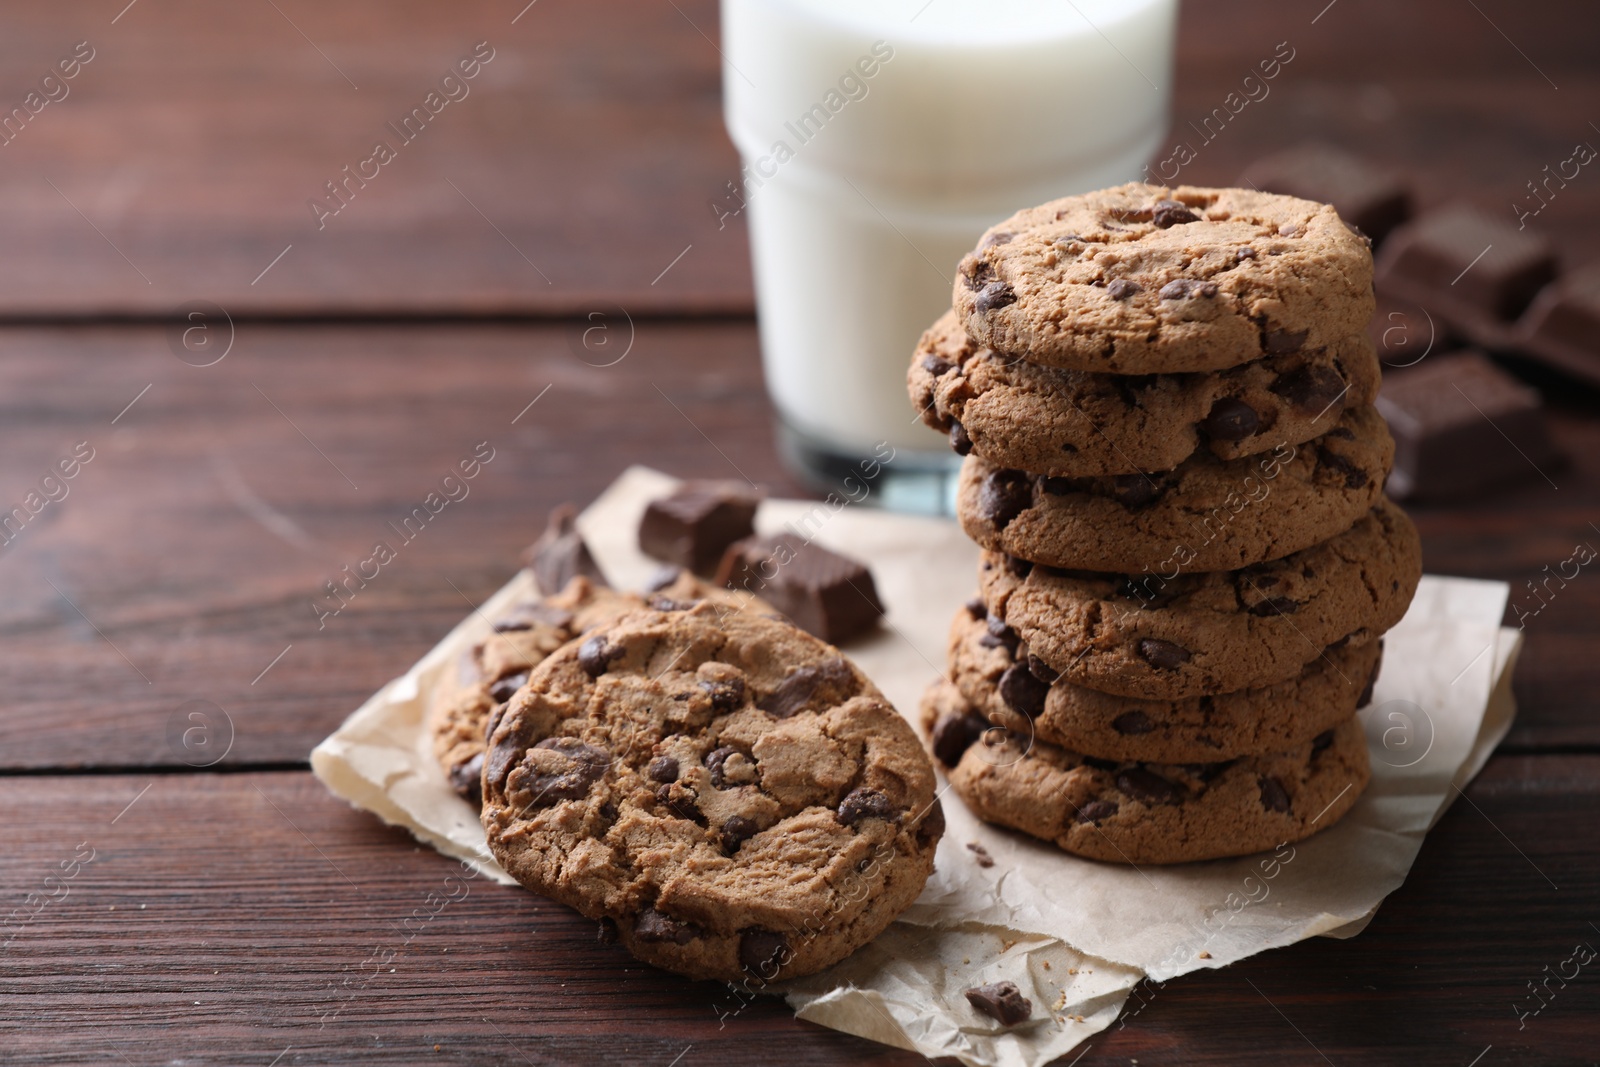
(1462, 426)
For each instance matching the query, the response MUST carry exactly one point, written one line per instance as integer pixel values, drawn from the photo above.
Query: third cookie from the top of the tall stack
(1207, 516)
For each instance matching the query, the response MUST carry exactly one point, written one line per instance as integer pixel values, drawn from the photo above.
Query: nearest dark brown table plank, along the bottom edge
(231, 917)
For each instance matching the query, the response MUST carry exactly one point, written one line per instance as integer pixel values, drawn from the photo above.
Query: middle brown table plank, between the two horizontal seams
(198, 538)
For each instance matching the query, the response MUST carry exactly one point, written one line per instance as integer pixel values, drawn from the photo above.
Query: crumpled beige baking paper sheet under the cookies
(1074, 935)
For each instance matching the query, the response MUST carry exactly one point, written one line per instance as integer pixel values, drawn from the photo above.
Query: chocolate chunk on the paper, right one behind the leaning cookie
(823, 593)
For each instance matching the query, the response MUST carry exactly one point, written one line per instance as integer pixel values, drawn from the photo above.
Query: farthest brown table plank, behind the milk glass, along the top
(590, 148)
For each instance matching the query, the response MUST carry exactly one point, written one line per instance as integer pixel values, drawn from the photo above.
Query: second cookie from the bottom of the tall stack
(990, 668)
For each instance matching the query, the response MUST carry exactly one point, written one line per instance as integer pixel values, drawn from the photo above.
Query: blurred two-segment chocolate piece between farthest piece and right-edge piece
(1478, 271)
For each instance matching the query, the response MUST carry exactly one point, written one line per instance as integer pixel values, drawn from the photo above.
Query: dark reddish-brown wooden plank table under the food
(238, 913)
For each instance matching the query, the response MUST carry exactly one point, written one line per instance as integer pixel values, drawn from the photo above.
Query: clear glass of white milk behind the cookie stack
(879, 140)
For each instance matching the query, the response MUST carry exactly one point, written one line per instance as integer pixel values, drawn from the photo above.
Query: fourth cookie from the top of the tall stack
(1212, 633)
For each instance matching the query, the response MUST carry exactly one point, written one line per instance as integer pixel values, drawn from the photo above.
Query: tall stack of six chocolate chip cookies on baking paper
(1175, 471)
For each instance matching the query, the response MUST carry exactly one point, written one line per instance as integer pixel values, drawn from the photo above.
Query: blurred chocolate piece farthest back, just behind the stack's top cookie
(1369, 198)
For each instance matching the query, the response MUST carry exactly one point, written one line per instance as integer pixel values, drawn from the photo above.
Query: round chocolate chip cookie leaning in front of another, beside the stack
(729, 791)
